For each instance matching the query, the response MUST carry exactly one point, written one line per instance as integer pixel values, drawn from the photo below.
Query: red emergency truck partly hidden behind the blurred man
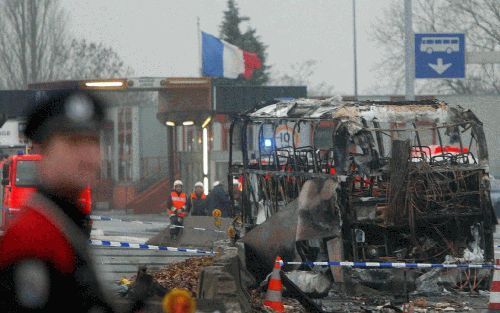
(19, 182)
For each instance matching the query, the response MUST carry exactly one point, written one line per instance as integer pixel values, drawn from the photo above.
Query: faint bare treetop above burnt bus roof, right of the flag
(300, 74)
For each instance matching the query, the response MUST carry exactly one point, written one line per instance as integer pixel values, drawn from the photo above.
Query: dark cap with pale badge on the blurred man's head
(64, 112)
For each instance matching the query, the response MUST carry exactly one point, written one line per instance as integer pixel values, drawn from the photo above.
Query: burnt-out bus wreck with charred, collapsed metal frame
(363, 181)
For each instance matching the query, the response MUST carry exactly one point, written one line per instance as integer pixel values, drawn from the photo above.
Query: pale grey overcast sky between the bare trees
(159, 37)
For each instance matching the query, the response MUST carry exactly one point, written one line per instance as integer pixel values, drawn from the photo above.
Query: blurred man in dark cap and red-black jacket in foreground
(45, 264)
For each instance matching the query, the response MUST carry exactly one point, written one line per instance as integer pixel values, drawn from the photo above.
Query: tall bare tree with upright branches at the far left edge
(32, 41)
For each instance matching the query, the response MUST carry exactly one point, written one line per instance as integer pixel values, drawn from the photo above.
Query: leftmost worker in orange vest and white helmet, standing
(176, 203)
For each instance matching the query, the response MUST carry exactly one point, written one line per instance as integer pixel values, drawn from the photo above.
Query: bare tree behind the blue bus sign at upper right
(480, 20)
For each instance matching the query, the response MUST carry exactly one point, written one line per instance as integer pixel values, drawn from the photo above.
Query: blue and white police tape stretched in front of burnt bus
(392, 264)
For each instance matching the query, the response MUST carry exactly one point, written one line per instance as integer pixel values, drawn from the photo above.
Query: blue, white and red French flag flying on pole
(222, 59)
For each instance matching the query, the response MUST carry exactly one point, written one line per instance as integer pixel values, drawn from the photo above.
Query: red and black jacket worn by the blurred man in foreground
(44, 254)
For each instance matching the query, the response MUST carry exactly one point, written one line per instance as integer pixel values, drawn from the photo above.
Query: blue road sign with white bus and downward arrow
(439, 55)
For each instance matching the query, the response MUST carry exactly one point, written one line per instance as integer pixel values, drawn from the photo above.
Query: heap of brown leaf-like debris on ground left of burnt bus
(183, 274)
